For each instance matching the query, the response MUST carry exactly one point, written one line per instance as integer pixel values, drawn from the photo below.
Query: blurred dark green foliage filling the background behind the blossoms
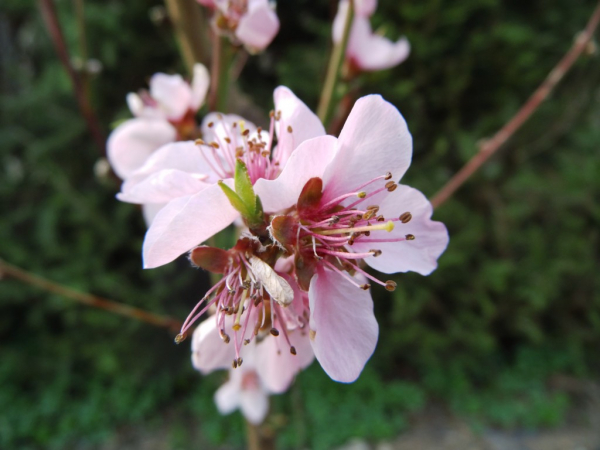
(516, 298)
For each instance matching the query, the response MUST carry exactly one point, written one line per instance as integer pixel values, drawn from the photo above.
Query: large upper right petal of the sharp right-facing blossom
(375, 140)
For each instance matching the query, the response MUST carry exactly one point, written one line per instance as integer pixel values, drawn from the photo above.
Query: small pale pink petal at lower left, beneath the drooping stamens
(209, 352)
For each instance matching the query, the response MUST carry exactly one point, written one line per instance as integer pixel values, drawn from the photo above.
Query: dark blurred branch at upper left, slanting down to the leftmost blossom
(52, 23)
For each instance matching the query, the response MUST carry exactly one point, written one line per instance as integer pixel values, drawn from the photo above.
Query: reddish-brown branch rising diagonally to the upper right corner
(489, 147)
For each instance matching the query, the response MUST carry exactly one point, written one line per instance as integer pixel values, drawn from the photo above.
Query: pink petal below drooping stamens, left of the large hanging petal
(274, 363)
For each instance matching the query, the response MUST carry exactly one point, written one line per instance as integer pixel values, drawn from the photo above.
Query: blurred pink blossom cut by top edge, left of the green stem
(252, 23)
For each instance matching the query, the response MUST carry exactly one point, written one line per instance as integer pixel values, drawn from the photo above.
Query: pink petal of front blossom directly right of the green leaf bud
(307, 161)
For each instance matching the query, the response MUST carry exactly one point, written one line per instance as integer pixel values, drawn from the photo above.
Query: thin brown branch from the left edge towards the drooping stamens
(89, 299)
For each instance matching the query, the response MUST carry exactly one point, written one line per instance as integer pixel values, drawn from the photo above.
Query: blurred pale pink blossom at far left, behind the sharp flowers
(164, 114)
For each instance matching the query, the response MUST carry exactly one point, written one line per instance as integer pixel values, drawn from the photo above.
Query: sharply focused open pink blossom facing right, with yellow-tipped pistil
(340, 205)
